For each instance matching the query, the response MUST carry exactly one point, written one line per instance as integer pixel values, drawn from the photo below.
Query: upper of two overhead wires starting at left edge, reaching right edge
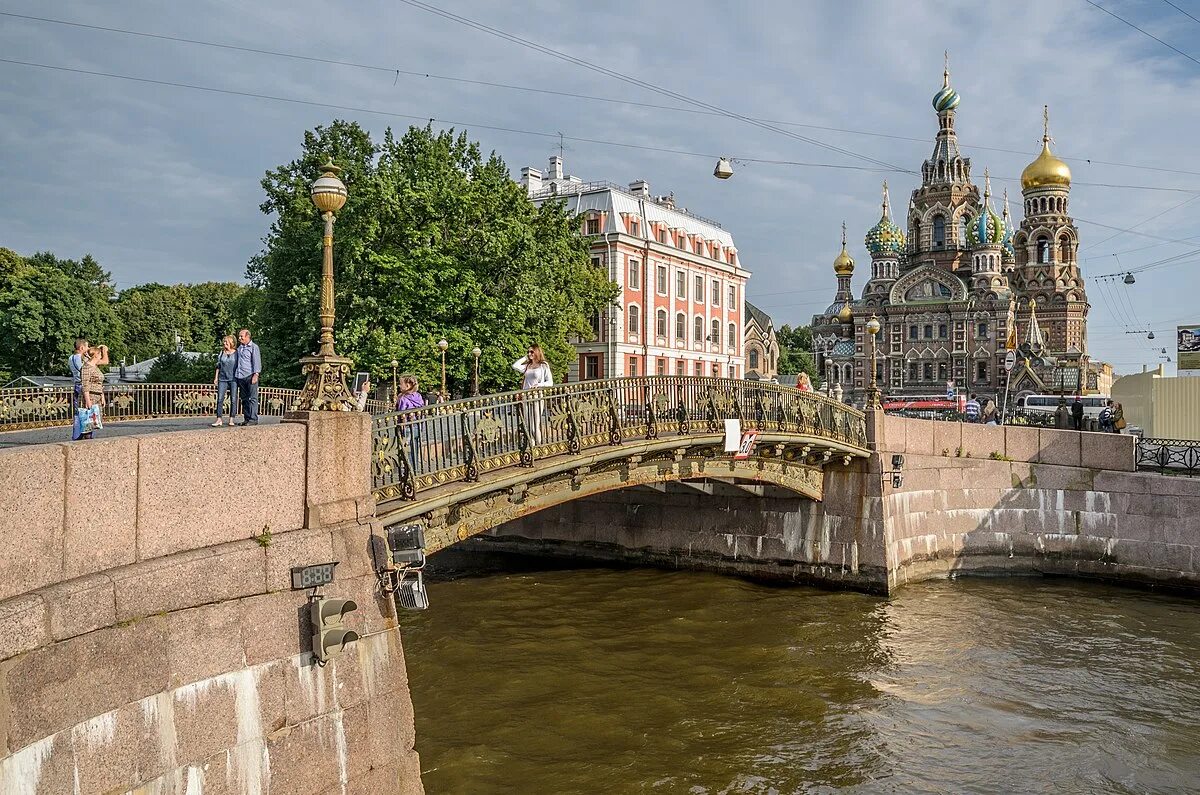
(398, 73)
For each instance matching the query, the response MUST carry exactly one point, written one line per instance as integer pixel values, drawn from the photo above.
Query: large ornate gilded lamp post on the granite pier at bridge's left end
(326, 373)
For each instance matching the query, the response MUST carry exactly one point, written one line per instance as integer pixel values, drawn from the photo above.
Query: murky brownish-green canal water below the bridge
(597, 680)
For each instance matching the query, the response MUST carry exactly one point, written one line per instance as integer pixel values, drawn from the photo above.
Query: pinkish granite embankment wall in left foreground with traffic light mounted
(153, 645)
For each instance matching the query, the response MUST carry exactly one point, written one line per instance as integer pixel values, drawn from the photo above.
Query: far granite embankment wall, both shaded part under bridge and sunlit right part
(1065, 504)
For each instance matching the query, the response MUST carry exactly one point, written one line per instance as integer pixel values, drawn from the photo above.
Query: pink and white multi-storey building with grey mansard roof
(682, 303)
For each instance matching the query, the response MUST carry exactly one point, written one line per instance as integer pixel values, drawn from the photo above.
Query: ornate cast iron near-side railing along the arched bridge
(458, 441)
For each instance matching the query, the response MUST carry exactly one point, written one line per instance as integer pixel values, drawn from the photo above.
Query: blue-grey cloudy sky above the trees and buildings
(161, 183)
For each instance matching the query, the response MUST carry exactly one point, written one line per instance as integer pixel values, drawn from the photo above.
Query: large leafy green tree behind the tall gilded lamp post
(435, 242)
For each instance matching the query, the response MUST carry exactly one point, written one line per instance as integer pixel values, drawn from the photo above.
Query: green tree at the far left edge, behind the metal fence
(45, 304)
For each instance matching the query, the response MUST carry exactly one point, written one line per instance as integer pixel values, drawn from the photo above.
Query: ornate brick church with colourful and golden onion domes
(962, 285)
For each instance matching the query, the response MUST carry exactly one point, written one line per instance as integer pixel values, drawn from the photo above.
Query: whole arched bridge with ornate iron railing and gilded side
(470, 465)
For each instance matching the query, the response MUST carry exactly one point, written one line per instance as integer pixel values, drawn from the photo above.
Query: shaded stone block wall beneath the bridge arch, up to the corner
(835, 542)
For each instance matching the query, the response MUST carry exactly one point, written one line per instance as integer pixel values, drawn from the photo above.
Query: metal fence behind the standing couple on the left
(43, 408)
